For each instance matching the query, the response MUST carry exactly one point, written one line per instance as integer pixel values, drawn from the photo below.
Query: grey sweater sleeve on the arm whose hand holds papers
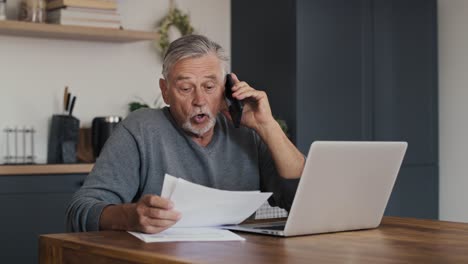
(114, 179)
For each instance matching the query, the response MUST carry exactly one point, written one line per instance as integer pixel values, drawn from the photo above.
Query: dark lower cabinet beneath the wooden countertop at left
(32, 205)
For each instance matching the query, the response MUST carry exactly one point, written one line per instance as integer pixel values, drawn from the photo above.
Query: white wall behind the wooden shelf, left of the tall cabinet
(104, 76)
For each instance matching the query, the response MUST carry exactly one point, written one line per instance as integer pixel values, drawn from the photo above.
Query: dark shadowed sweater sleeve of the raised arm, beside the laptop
(270, 181)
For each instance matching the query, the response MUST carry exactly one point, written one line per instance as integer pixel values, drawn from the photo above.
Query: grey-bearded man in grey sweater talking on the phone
(190, 139)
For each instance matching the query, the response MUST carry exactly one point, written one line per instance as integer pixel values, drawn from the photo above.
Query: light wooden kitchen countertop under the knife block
(33, 169)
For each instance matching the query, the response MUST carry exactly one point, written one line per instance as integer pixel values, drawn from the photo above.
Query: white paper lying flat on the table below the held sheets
(189, 234)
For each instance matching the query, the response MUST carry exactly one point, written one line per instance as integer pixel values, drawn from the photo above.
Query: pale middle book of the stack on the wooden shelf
(67, 13)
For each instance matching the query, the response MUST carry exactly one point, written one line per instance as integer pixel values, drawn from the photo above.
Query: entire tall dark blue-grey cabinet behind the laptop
(350, 70)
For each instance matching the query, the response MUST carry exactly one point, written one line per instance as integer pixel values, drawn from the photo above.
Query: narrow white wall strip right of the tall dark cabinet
(453, 109)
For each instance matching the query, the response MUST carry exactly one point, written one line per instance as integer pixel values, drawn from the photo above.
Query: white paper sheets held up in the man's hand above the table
(207, 207)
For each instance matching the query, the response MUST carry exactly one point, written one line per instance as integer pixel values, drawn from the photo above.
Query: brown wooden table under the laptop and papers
(397, 240)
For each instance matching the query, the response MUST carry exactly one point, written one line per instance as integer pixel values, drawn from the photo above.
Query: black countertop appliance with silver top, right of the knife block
(101, 130)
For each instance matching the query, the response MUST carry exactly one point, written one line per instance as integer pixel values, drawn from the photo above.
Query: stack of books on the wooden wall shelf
(91, 13)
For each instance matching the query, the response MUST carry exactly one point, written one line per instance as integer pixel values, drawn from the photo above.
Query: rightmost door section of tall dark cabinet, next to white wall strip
(405, 99)
